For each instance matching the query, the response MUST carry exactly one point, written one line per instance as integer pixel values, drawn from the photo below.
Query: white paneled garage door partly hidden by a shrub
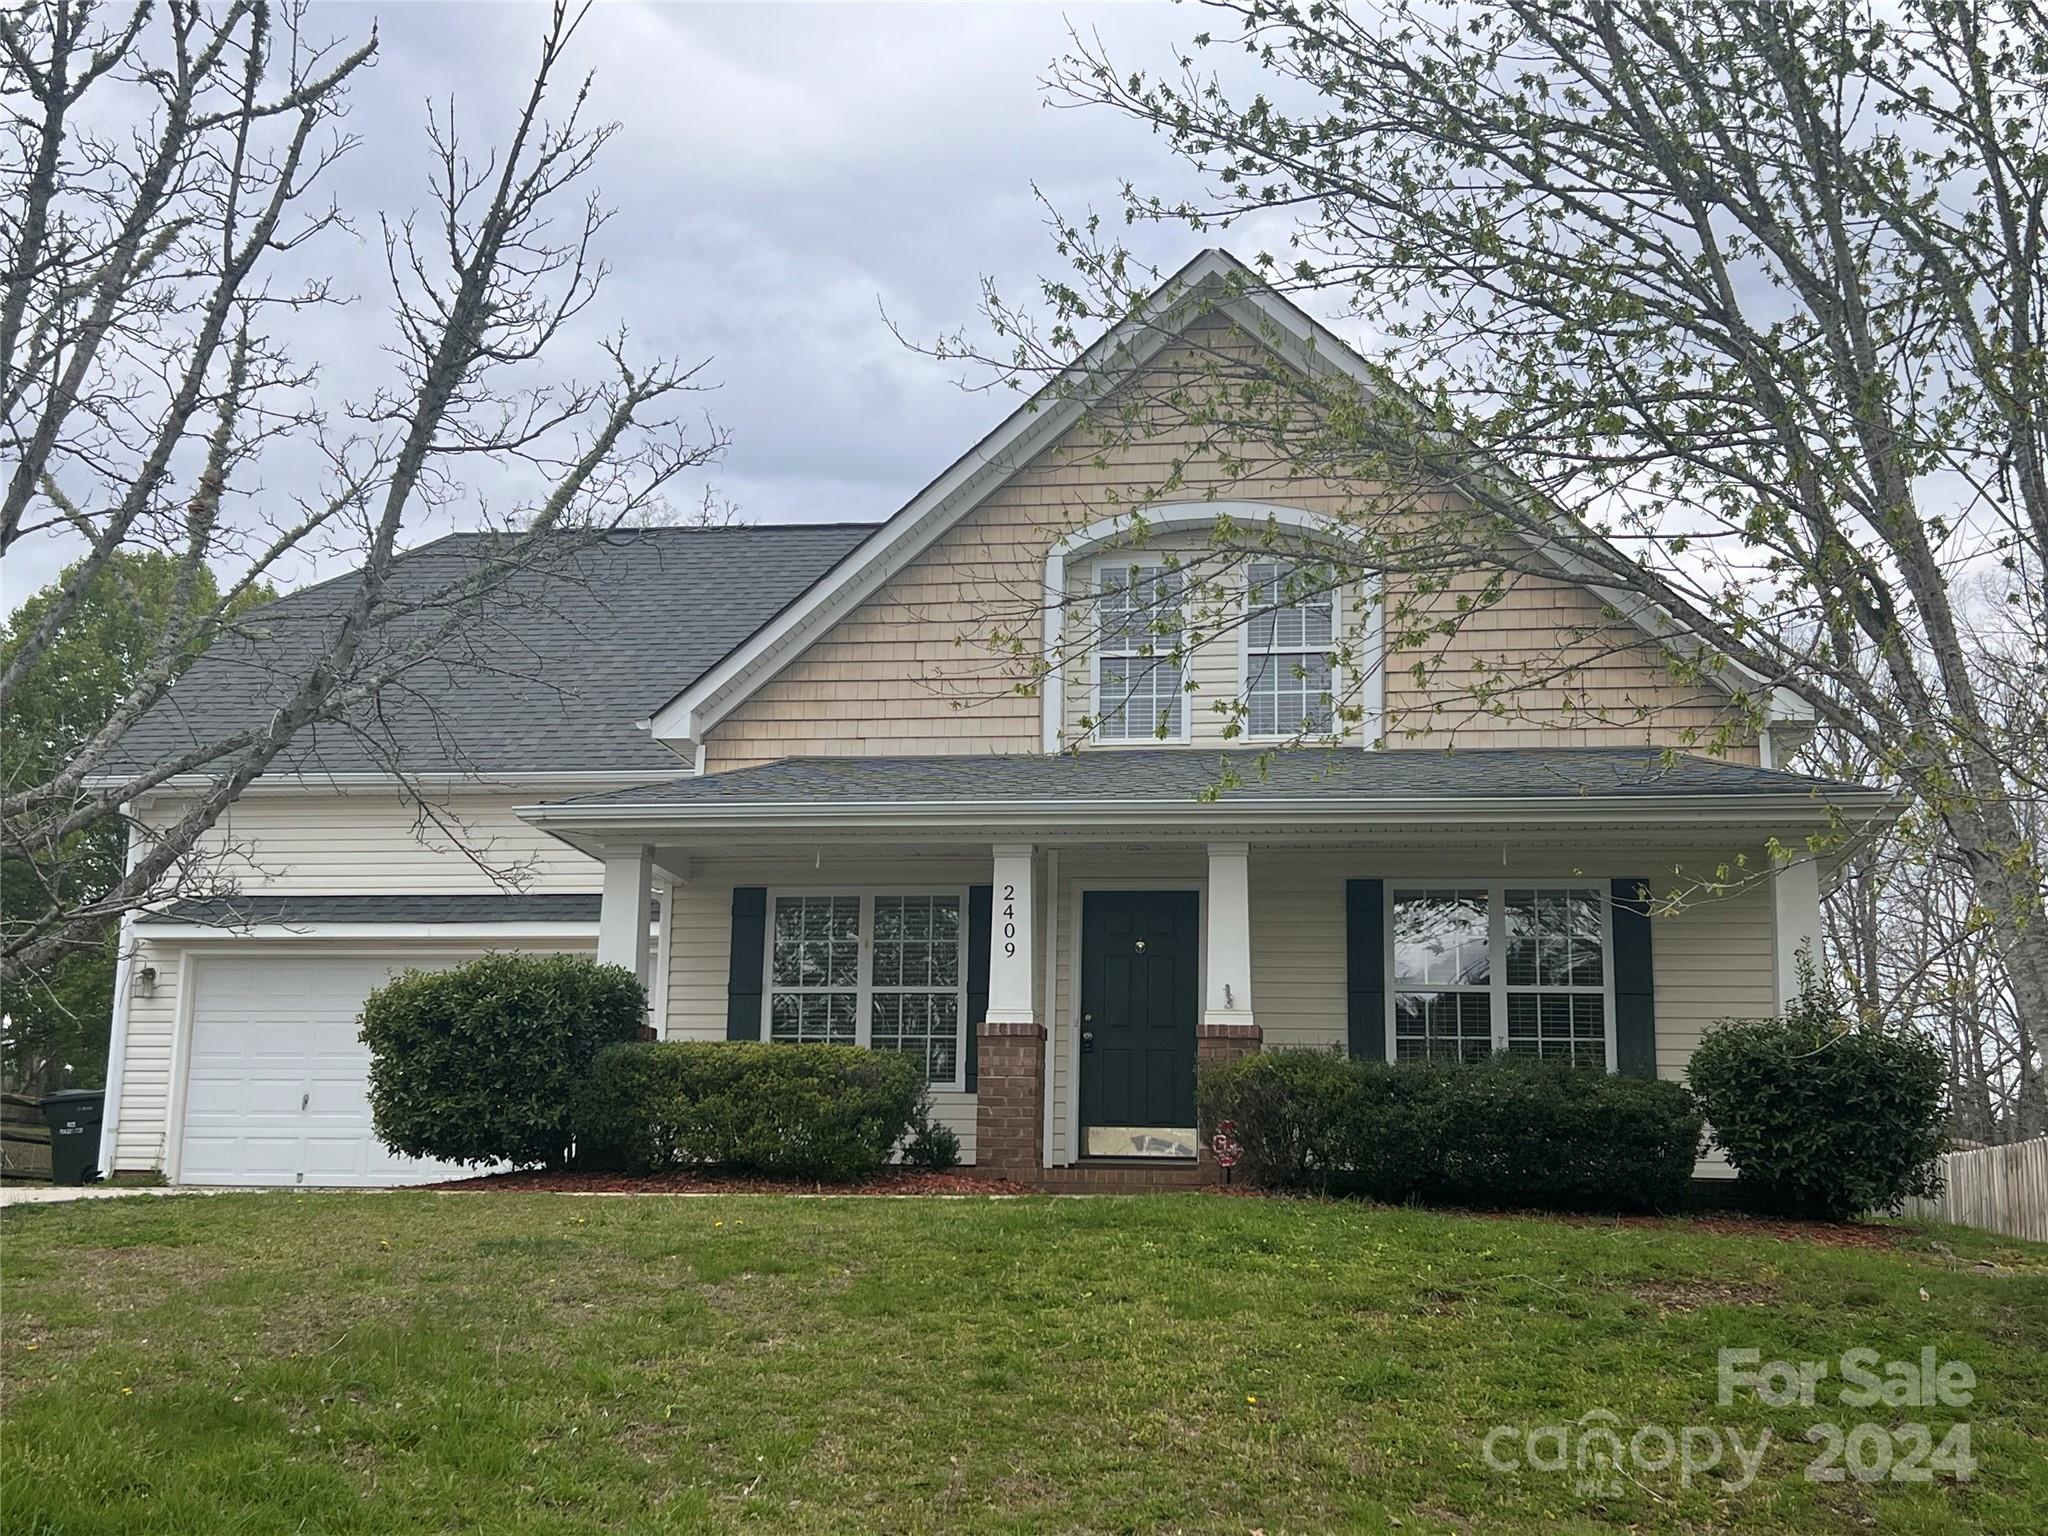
(278, 1082)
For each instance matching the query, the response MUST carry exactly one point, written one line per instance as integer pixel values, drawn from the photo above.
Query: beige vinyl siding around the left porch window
(703, 935)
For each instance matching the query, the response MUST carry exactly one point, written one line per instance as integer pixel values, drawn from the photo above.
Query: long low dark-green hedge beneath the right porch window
(1504, 1134)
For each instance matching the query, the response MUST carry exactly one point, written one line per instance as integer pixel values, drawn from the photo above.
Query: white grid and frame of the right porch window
(1562, 1013)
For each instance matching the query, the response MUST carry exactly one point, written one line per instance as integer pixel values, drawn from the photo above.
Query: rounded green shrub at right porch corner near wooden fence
(1818, 1117)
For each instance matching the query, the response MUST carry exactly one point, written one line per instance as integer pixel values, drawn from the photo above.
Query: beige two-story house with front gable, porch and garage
(779, 775)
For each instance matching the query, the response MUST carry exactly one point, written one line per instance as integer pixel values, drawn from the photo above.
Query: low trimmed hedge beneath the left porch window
(804, 1111)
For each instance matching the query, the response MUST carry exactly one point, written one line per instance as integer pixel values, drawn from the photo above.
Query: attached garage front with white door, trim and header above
(267, 1080)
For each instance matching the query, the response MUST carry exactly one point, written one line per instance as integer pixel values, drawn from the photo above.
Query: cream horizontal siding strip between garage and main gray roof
(331, 843)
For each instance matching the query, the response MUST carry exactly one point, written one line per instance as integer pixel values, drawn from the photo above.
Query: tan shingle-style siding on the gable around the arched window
(939, 658)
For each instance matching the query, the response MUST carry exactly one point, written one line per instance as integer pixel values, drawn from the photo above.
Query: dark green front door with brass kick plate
(1140, 976)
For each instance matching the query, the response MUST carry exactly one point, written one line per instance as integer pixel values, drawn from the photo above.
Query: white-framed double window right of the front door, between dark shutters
(1482, 968)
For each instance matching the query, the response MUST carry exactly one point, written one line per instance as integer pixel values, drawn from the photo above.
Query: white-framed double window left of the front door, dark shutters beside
(886, 972)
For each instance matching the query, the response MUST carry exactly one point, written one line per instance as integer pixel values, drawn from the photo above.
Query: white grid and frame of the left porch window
(845, 1013)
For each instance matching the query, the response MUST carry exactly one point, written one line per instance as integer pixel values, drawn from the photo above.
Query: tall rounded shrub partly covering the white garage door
(480, 1064)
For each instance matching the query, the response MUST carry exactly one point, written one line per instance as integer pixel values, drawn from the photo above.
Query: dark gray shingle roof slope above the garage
(554, 675)
